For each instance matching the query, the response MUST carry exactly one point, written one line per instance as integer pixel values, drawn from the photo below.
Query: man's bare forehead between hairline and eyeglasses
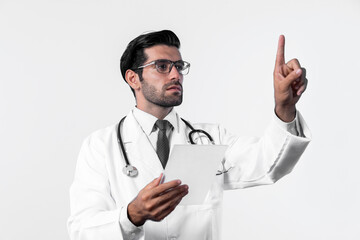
(162, 52)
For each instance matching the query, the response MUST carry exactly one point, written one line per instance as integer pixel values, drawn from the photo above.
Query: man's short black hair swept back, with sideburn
(134, 55)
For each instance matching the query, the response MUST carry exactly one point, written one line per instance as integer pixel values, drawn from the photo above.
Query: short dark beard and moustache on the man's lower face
(162, 98)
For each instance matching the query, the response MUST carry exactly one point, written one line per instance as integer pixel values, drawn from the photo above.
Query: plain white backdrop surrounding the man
(60, 80)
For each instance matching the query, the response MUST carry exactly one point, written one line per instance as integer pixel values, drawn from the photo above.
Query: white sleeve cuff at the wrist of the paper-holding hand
(129, 230)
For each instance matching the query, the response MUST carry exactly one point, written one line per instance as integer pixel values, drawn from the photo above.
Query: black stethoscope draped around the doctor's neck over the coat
(132, 171)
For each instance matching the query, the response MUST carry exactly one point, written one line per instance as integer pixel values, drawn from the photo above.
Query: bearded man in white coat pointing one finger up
(108, 204)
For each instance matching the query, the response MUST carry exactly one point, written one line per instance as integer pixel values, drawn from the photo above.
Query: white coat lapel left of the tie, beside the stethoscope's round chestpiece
(139, 149)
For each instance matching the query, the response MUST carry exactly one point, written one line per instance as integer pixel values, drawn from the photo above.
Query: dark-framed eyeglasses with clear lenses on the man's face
(165, 66)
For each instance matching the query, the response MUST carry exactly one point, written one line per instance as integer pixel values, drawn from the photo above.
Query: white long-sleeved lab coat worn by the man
(100, 192)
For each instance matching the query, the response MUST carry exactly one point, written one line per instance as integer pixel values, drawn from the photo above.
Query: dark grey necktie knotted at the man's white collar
(162, 145)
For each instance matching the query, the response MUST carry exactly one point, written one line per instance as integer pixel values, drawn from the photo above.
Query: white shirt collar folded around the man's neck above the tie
(147, 121)
